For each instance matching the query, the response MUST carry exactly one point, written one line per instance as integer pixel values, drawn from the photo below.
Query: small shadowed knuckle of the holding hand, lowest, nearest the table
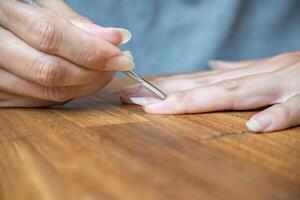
(58, 94)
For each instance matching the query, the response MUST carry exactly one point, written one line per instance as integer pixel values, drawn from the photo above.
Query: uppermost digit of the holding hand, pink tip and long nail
(115, 36)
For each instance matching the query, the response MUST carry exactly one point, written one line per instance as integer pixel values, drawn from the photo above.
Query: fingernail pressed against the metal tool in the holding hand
(120, 63)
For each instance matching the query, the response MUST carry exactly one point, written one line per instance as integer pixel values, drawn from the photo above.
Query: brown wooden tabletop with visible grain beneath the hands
(96, 148)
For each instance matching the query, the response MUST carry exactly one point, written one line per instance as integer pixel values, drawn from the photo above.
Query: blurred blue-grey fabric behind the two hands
(176, 36)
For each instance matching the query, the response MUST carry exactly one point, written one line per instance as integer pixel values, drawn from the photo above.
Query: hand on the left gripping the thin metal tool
(50, 54)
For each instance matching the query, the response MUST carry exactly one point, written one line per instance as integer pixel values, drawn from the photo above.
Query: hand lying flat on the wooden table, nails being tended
(232, 86)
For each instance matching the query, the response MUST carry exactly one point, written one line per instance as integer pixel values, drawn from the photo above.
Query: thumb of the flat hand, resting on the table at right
(277, 117)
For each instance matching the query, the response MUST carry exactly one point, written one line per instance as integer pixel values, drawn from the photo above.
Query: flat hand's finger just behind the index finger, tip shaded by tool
(187, 82)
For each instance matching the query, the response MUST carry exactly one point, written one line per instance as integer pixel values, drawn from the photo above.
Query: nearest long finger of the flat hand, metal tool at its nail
(237, 94)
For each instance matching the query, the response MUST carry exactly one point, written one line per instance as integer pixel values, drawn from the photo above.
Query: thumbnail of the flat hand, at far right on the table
(259, 123)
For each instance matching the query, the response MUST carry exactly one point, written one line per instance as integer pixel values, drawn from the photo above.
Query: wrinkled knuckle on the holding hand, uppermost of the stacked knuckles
(46, 35)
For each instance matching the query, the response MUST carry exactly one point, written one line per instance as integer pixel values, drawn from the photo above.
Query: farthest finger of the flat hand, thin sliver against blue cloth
(223, 65)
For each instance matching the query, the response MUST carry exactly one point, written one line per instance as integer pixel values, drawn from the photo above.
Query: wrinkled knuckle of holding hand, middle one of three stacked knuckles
(48, 72)
